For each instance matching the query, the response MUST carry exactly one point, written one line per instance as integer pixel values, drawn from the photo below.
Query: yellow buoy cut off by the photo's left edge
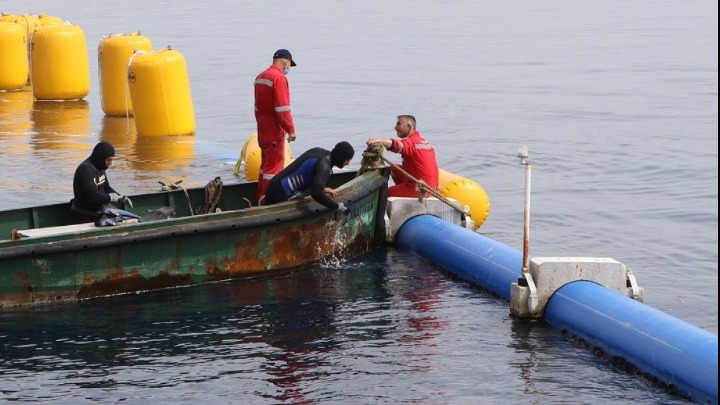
(14, 68)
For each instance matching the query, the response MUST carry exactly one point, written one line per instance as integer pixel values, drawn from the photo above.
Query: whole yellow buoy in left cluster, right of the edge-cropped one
(59, 66)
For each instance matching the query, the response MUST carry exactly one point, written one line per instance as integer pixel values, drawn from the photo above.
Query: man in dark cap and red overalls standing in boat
(273, 117)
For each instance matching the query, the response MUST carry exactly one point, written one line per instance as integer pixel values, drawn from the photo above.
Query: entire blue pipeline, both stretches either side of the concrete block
(665, 347)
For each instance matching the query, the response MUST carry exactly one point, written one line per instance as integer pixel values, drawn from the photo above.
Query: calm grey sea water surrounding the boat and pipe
(616, 101)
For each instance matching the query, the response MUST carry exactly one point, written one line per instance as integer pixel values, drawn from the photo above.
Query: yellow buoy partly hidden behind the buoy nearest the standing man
(114, 52)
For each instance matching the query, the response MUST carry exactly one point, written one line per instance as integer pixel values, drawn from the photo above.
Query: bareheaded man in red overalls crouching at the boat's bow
(418, 159)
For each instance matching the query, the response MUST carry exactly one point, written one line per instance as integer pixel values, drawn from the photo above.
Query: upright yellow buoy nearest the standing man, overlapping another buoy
(160, 93)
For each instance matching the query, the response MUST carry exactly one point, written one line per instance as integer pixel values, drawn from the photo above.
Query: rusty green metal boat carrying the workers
(44, 259)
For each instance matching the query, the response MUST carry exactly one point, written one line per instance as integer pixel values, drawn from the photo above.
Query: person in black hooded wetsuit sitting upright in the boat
(91, 186)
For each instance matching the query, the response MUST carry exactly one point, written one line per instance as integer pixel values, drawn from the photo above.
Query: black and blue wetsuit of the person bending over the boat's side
(311, 170)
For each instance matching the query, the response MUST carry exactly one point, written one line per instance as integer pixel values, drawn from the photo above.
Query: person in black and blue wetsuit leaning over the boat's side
(310, 171)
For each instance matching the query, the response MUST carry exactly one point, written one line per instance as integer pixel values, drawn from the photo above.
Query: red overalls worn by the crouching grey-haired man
(419, 161)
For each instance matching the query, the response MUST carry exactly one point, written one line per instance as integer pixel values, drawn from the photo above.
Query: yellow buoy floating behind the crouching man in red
(467, 193)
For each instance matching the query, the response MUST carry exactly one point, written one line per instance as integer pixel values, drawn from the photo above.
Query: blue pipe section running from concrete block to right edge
(672, 350)
